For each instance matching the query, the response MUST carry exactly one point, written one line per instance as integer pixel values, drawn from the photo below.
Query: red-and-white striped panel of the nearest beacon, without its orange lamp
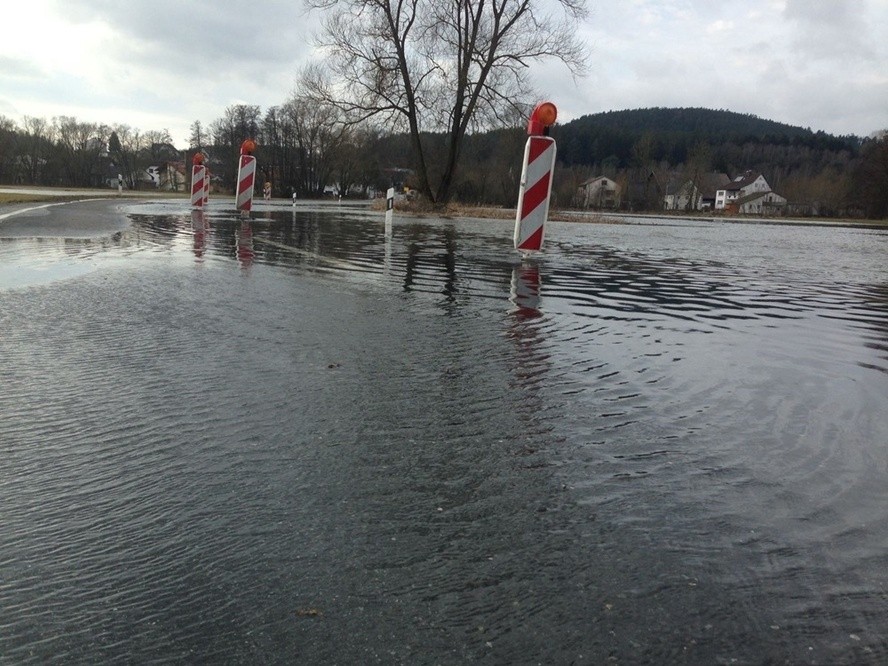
(533, 197)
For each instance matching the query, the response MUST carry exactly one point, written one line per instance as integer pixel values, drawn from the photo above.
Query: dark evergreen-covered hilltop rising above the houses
(670, 134)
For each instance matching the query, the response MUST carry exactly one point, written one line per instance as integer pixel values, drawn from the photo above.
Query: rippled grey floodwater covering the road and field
(289, 440)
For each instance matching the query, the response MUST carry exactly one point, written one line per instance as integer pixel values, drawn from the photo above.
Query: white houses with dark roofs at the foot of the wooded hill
(747, 194)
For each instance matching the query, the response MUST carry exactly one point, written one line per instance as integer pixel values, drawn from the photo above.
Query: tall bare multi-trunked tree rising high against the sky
(440, 66)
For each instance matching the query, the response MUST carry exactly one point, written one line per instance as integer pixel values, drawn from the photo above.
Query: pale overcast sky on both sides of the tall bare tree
(162, 64)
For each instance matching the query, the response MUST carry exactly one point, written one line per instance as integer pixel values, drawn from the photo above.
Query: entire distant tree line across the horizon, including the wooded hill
(307, 147)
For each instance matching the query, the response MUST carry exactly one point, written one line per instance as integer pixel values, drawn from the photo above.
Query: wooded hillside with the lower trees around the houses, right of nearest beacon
(648, 151)
